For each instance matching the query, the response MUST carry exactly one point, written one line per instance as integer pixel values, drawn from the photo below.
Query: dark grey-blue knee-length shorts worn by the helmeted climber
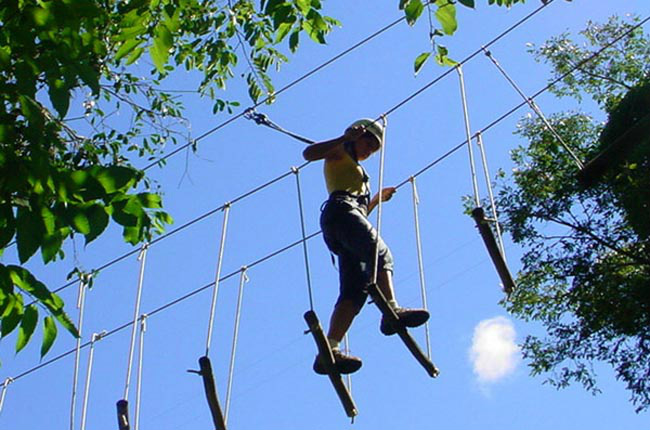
(349, 235)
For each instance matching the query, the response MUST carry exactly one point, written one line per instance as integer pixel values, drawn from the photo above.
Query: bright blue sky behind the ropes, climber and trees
(484, 383)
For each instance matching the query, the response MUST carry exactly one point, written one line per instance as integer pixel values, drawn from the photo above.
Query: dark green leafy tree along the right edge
(586, 268)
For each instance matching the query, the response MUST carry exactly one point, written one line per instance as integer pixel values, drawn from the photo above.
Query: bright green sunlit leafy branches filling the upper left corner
(56, 182)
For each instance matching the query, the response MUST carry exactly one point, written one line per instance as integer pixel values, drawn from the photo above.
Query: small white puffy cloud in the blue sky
(494, 353)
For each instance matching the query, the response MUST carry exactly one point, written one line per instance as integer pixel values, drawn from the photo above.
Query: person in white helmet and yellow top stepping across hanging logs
(348, 234)
